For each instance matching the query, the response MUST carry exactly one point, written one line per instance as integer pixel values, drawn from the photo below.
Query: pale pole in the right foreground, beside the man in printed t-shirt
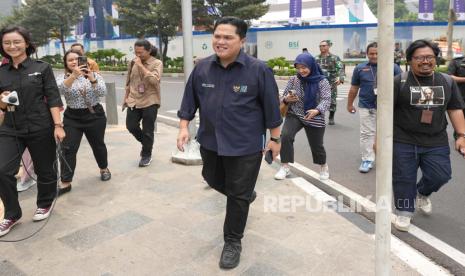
(384, 130)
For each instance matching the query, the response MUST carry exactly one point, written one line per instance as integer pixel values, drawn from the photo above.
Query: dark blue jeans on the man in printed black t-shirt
(434, 163)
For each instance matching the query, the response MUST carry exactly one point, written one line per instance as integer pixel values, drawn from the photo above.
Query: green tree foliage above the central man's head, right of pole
(205, 12)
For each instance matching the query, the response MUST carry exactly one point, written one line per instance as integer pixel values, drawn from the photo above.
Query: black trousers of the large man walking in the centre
(235, 177)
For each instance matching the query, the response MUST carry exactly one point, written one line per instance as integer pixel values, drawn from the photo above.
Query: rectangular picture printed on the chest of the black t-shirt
(422, 96)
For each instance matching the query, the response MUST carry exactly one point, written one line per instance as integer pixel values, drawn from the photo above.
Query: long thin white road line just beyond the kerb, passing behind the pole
(370, 206)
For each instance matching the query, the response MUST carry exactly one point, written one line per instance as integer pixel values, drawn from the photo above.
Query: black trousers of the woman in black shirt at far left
(42, 146)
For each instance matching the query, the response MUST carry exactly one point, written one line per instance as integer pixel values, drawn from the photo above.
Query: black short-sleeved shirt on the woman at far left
(37, 93)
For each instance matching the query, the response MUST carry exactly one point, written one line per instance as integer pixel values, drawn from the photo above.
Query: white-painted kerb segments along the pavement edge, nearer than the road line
(409, 255)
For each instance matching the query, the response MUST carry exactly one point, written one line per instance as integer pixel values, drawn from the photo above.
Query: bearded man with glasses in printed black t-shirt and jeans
(420, 136)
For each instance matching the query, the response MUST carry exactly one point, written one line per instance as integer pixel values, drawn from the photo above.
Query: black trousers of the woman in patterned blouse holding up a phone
(78, 122)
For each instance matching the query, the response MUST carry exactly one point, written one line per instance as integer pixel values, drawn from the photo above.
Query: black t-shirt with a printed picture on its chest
(413, 99)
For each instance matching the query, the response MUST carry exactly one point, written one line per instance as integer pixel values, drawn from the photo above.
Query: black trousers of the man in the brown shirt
(145, 135)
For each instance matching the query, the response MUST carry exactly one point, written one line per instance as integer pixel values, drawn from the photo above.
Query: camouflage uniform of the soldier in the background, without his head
(333, 68)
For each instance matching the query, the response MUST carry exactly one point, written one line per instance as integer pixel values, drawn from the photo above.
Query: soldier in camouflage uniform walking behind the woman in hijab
(333, 68)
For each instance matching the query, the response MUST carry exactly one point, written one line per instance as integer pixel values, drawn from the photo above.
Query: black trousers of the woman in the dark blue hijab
(315, 135)
